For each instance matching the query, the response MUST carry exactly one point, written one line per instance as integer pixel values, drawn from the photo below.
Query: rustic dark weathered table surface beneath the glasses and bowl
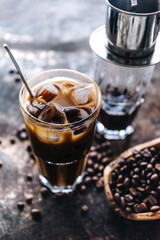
(54, 34)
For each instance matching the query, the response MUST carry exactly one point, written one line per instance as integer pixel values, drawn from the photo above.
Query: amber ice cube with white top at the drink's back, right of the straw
(47, 92)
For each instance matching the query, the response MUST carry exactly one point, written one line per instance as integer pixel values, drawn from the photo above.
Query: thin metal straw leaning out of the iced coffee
(18, 69)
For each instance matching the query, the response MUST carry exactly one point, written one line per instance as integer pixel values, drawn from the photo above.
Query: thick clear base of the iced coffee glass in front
(60, 189)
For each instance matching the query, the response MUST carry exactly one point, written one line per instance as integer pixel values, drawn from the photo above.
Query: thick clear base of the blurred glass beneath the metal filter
(114, 134)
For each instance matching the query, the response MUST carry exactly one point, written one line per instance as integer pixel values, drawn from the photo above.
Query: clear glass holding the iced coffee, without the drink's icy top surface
(60, 149)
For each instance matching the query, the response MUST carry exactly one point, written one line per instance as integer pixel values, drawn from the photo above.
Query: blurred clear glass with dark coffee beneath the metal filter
(123, 90)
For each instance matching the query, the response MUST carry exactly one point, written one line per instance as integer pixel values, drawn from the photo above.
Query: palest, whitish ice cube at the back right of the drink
(82, 95)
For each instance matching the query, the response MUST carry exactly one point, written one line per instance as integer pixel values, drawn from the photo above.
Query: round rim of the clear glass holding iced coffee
(55, 124)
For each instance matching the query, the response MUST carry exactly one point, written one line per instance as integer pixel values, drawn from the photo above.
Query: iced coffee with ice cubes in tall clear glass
(60, 121)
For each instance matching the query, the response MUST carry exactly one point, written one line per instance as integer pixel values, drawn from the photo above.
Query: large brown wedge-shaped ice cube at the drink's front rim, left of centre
(53, 113)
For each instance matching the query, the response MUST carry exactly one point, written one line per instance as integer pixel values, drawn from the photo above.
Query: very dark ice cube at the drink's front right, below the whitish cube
(75, 114)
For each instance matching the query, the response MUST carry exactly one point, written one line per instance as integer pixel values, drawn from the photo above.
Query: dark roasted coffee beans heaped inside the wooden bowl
(135, 183)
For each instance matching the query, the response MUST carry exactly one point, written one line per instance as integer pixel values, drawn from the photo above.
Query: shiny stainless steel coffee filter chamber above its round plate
(132, 27)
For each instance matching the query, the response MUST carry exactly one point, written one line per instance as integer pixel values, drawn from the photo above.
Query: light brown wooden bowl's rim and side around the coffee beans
(107, 177)
